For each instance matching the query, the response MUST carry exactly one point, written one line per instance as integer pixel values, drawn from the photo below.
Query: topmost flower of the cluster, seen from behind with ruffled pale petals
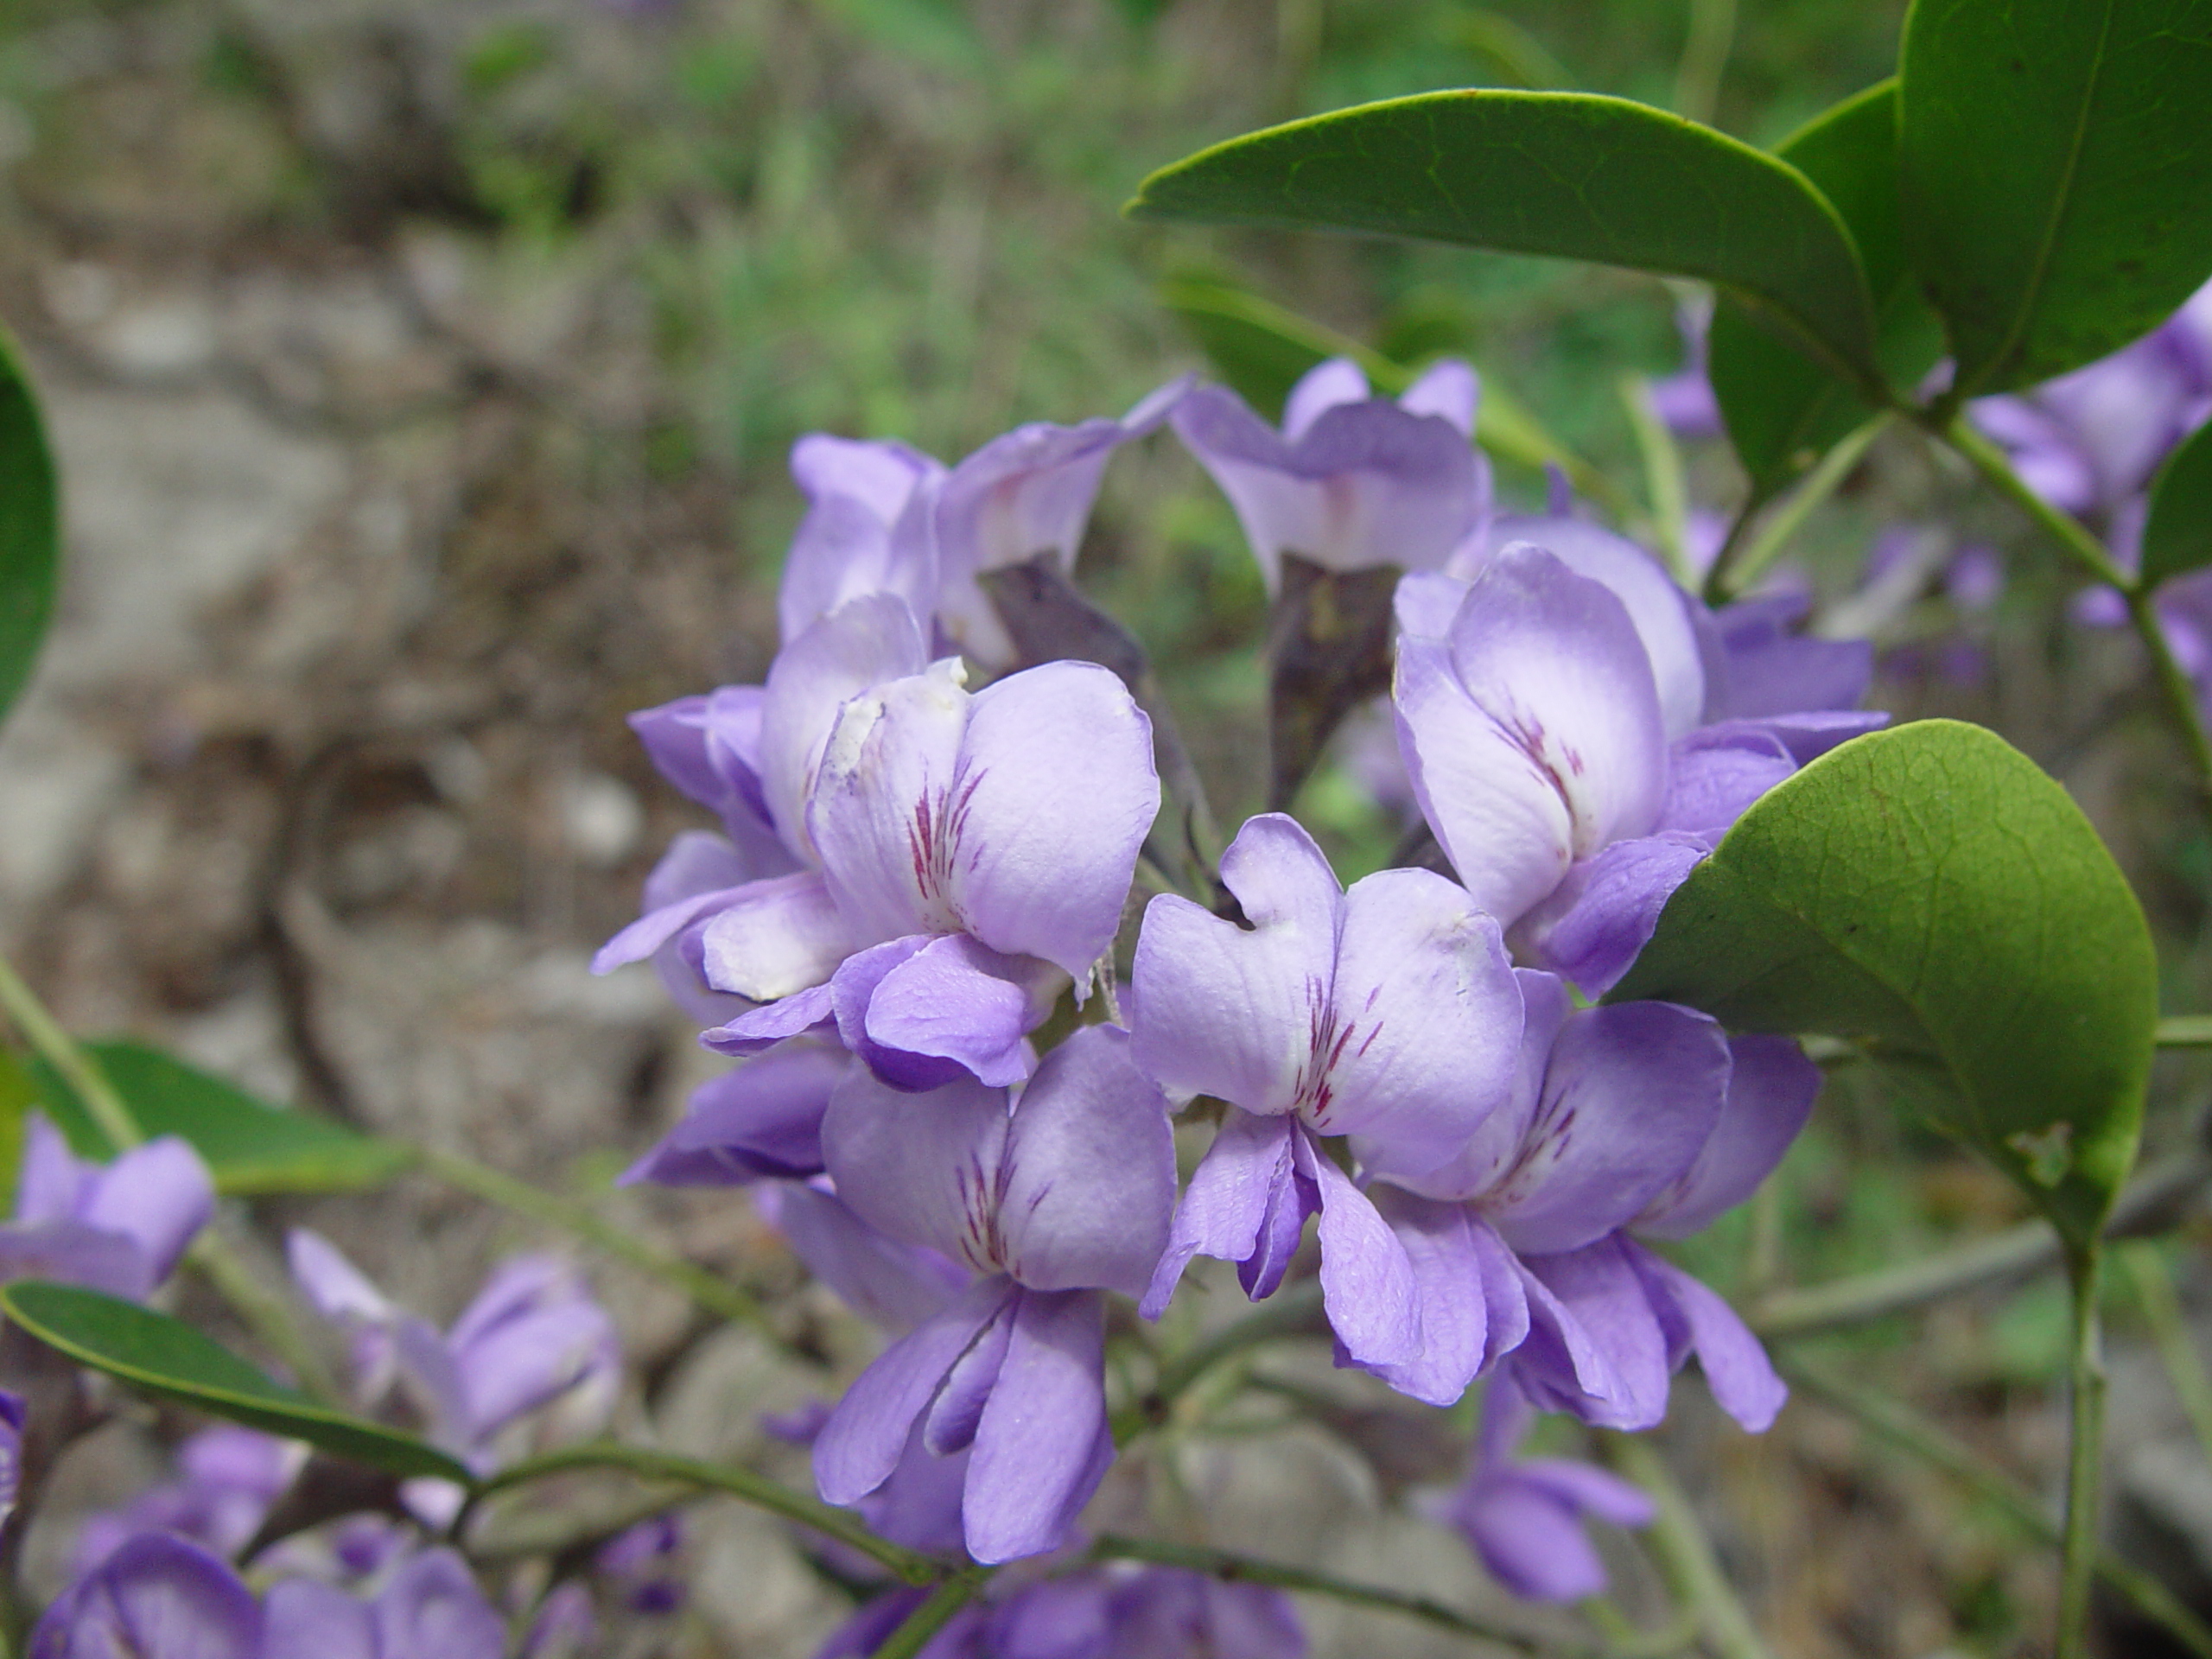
(1350, 481)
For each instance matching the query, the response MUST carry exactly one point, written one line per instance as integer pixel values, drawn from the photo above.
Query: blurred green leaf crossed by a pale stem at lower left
(249, 1145)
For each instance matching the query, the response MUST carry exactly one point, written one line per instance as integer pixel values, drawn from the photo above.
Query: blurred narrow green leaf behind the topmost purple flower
(1262, 348)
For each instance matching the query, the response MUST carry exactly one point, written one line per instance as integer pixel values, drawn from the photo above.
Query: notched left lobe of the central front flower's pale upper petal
(1224, 1010)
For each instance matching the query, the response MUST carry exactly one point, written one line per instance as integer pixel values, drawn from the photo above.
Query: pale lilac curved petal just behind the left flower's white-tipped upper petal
(857, 647)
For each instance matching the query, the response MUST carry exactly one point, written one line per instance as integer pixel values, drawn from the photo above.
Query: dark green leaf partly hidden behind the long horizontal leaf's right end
(1784, 410)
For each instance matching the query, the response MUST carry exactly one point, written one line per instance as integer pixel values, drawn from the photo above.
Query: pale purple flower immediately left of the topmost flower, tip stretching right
(1019, 497)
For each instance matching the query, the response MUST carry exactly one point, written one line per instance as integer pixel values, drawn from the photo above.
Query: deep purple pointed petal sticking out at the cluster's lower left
(762, 1120)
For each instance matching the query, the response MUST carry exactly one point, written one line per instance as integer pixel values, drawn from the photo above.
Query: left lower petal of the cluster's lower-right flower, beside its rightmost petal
(1594, 1306)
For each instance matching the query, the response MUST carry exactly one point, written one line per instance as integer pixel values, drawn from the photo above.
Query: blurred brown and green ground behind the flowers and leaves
(424, 377)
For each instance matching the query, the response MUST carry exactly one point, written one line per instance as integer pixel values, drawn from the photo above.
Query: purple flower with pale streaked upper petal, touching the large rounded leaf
(1554, 738)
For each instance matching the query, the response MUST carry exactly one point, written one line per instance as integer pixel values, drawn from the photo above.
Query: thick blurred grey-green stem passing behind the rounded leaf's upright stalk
(2149, 1204)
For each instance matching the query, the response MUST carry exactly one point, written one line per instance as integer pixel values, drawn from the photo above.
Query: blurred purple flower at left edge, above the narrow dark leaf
(114, 1227)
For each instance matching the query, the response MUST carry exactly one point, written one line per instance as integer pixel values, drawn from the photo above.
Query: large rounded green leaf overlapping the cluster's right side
(1937, 897)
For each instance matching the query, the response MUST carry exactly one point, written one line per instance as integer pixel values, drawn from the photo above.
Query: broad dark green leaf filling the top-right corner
(2056, 163)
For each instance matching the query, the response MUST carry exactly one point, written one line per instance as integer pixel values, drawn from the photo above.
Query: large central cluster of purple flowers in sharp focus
(928, 857)
